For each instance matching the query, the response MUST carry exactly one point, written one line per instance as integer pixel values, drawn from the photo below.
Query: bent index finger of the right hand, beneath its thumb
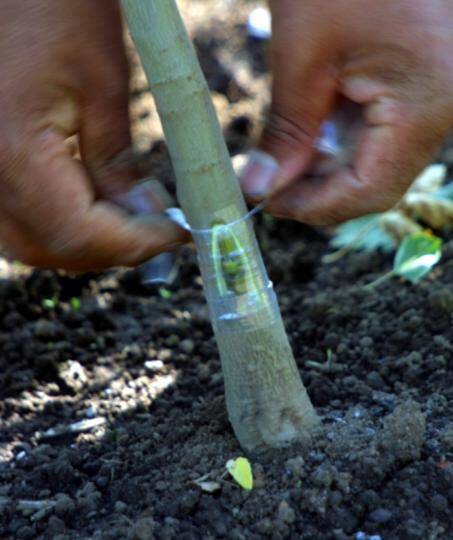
(394, 146)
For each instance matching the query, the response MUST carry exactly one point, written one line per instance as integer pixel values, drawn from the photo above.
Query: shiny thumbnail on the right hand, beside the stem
(259, 176)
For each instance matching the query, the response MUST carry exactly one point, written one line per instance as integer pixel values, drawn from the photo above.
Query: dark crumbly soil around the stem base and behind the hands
(141, 364)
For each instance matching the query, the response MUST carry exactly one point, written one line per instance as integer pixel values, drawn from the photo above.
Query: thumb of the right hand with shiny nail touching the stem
(303, 93)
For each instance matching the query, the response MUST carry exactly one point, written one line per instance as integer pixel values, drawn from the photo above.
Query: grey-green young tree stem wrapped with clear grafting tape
(267, 403)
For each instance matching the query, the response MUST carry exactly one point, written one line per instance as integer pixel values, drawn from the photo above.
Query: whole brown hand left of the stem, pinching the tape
(64, 72)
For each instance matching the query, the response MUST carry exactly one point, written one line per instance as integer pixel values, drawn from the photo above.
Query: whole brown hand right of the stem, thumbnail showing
(393, 58)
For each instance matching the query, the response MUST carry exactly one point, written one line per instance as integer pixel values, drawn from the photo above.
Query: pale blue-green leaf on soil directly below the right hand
(363, 233)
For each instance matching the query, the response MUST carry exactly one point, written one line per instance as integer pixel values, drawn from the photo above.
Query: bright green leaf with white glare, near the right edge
(417, 255)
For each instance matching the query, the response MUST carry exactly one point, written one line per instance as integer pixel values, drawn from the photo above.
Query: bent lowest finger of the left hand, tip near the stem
(50, 198)
